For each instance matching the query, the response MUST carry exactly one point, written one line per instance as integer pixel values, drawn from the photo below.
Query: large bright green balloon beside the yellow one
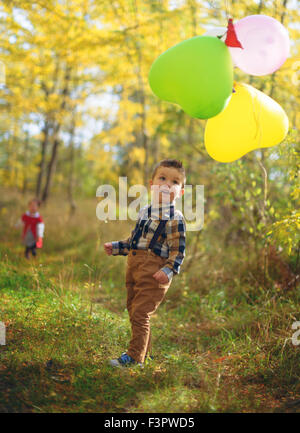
(196, 74)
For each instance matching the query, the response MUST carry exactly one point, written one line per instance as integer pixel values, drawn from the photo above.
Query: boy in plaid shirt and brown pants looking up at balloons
(155, 250)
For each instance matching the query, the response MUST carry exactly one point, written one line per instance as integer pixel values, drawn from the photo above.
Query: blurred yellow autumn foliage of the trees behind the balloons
(57, 55)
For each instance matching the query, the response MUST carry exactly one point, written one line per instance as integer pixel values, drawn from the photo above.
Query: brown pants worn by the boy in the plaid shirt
(144, 294)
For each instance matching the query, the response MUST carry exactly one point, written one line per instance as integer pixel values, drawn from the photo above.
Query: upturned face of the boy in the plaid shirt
(169, 184)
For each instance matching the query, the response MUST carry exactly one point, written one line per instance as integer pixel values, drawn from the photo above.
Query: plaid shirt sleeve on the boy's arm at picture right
(176, 235)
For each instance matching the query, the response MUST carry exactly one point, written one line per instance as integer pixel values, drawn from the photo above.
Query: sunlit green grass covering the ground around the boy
(222, 342)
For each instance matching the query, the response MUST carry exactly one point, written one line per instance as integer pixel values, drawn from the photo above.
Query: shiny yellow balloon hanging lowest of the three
(251, 120)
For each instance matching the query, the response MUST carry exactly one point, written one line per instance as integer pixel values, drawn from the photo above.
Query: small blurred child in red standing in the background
(33, 228)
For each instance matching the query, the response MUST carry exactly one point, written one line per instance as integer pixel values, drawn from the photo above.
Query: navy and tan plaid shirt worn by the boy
(171, 242)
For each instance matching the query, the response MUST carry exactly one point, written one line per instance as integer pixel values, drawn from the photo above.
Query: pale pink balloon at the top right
(265, 45)
